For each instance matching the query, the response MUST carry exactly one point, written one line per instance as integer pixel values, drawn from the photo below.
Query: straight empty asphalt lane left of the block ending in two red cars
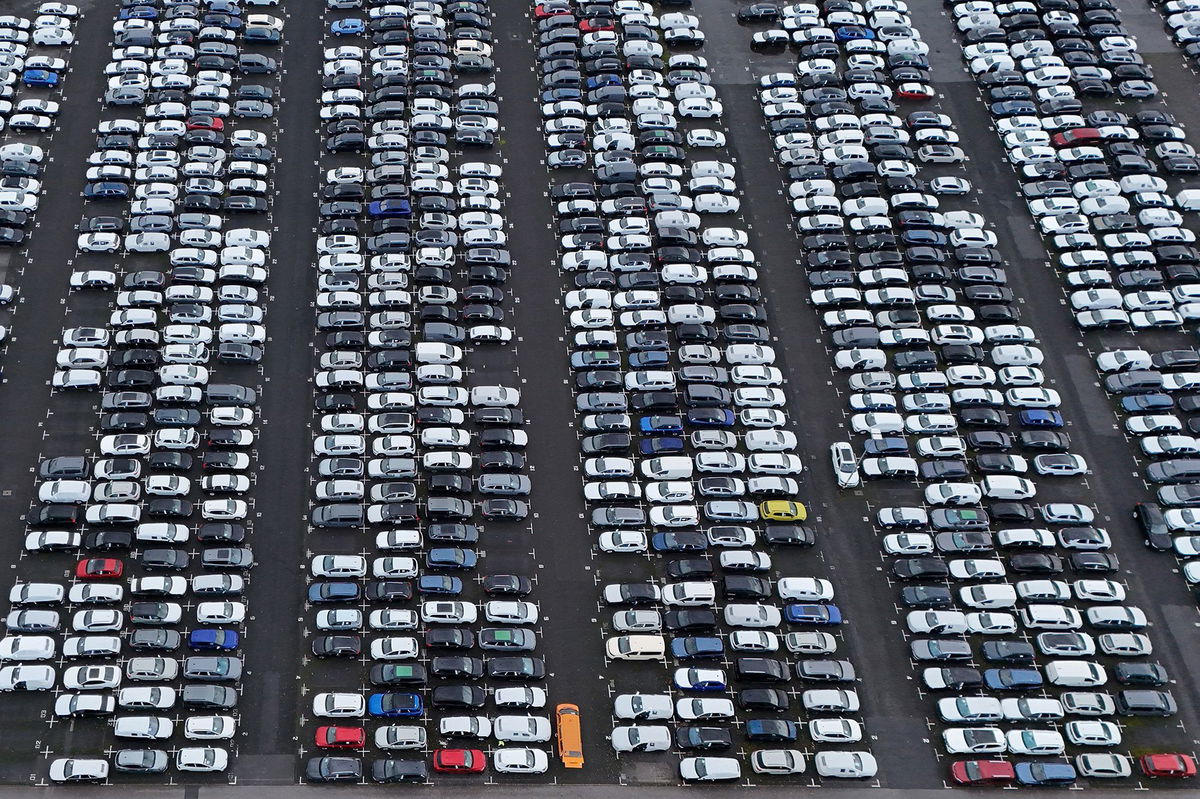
(272, 702)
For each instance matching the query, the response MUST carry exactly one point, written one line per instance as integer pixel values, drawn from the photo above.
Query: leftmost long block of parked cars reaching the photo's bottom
(175, 441)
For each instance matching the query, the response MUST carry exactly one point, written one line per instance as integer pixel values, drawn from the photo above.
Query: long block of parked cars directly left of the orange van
(409, 446)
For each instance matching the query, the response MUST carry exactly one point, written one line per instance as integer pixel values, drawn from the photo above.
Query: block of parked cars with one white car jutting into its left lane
(925, 332)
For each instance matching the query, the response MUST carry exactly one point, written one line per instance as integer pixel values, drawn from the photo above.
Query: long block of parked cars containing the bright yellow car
(686, 444)
